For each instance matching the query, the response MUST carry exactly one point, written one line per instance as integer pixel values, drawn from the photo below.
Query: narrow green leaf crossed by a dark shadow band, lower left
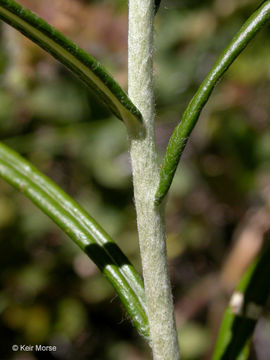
(82, 229)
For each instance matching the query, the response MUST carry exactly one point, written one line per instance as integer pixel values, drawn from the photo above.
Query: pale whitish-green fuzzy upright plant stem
(150, 219)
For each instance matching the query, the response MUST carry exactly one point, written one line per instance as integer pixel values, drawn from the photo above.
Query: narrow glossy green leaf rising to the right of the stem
(182, 132)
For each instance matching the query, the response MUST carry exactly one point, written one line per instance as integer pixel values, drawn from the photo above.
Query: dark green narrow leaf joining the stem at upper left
(74, 58)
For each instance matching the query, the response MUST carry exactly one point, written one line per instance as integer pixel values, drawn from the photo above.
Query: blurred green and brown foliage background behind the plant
(218, 211)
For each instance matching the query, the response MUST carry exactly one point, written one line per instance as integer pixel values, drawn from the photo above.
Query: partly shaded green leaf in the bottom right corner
(245, 307)
